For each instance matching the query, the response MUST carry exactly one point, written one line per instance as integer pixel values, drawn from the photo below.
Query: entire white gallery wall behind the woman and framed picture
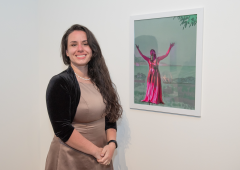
(31, 32)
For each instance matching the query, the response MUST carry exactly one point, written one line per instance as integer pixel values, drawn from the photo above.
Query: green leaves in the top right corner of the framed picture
(186, 20)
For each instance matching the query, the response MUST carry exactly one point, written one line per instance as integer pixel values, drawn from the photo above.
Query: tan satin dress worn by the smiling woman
(90, 122)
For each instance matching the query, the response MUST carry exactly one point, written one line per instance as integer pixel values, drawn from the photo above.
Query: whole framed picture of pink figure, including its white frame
(166, 62)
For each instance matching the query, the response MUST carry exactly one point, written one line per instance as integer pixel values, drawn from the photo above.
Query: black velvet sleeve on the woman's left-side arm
(59, 107)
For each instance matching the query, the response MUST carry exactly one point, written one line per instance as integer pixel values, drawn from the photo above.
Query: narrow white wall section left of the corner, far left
(19, 123)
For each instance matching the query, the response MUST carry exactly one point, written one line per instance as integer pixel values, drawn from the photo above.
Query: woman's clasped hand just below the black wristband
(107, 154)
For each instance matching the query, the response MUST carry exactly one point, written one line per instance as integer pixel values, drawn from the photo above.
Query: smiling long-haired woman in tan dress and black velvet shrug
(83, 107)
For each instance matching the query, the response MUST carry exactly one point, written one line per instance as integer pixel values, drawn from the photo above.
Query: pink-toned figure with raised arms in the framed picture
(154, 87)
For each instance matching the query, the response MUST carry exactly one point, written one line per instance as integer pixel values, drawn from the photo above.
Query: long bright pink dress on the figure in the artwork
(154, 87)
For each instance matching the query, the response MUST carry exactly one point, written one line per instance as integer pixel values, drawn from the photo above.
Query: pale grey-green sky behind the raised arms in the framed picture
(157, 34)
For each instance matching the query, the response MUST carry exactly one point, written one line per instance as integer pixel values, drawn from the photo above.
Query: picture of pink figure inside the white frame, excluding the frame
(165, 61)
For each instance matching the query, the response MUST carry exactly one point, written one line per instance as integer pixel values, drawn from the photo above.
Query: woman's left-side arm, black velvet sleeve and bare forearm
(59, 110)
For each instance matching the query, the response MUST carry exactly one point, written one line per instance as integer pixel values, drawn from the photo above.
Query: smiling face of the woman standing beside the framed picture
(78, 49)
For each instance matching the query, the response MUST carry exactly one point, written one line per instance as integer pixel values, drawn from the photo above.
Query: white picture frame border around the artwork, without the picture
(199, 52)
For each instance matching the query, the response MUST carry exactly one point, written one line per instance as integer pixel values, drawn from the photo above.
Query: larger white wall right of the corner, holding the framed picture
(150, 140)
